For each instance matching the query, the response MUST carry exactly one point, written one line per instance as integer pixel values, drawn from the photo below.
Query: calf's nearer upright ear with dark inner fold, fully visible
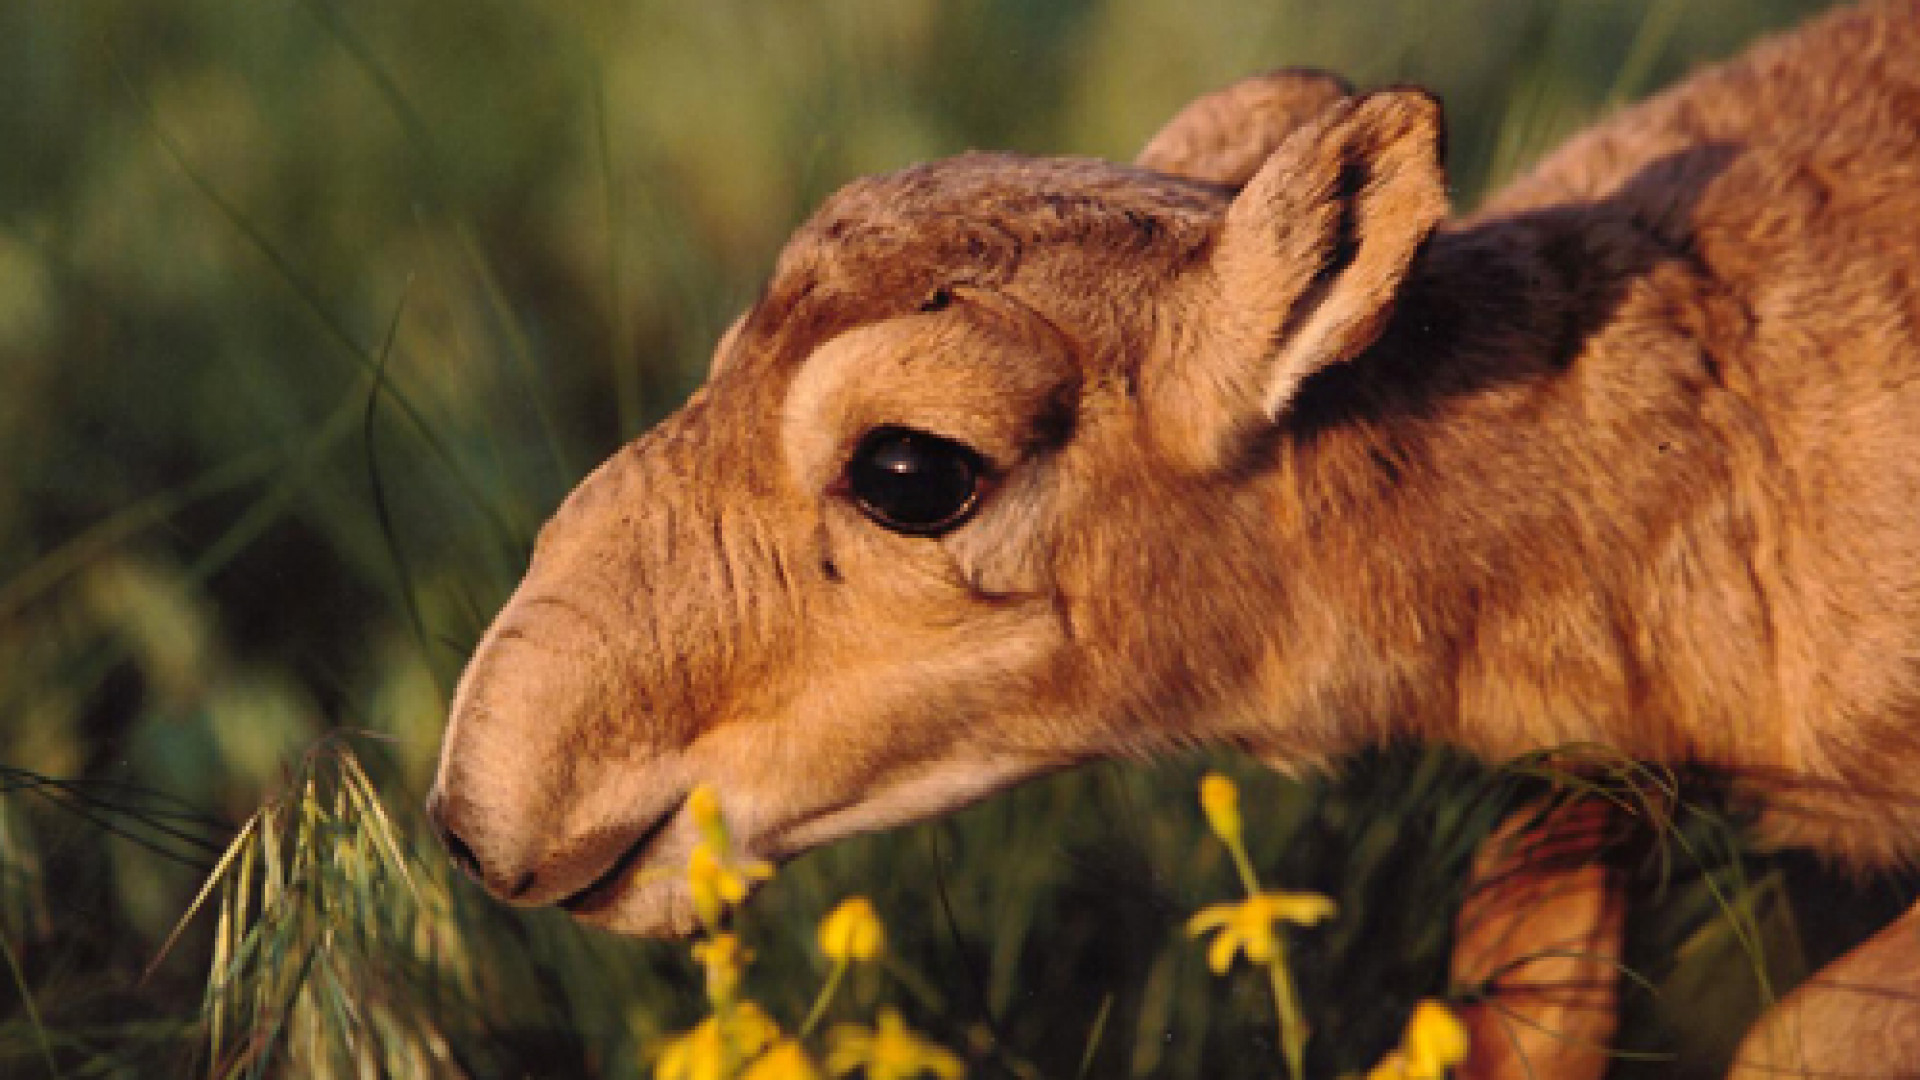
(1308, 264)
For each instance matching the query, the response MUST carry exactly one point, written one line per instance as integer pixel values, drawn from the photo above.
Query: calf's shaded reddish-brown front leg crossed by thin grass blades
(1541, 941)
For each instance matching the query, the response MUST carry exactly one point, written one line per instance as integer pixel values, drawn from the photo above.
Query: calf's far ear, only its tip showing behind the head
(1224, 137)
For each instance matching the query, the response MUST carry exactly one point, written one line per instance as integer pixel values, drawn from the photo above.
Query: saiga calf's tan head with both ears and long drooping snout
(980, 489)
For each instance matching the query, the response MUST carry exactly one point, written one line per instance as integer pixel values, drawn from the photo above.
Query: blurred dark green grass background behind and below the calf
(312, 310)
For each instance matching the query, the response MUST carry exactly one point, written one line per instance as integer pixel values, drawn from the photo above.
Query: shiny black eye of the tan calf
(915, 483)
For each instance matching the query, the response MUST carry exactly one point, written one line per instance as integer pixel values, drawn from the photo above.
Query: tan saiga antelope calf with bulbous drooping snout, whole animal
(1020, 464)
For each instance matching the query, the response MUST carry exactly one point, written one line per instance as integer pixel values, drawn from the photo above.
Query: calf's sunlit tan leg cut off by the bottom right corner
(1856, 1018)
